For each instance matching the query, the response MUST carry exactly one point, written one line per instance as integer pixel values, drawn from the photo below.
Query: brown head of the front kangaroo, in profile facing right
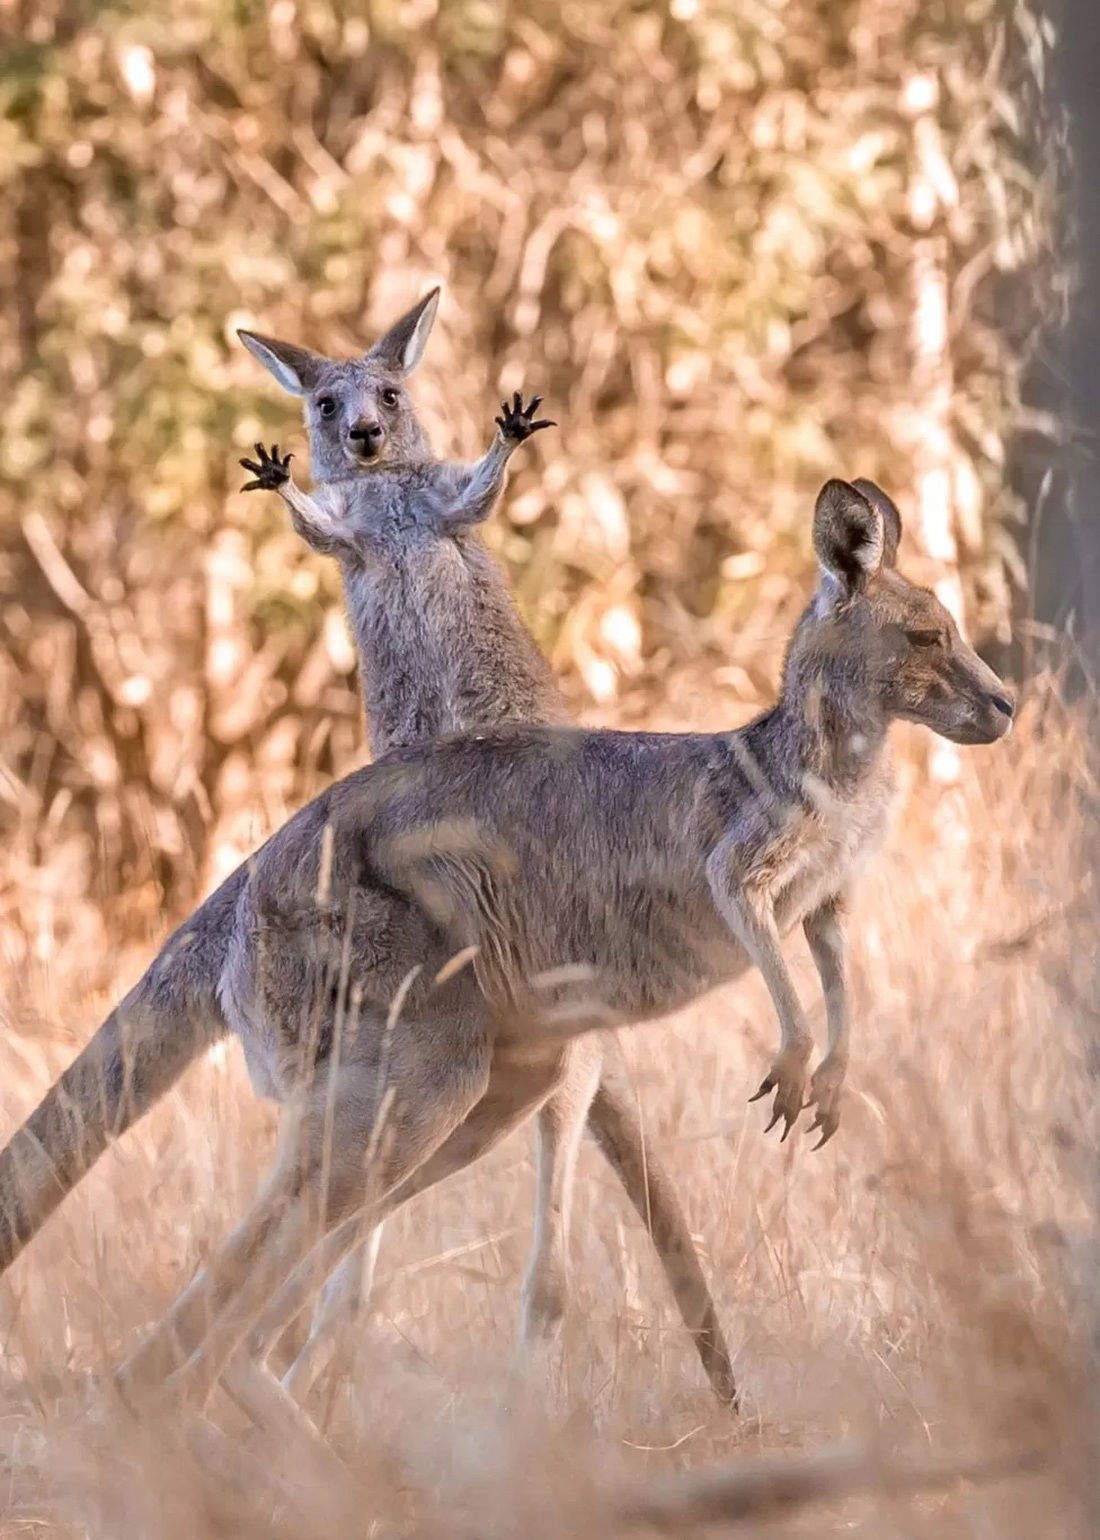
(882, 643)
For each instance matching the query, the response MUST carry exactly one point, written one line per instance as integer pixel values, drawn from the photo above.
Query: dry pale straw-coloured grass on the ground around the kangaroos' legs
(910, 1287)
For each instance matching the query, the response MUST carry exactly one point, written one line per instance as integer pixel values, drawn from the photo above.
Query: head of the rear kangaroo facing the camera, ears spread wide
(358, 410)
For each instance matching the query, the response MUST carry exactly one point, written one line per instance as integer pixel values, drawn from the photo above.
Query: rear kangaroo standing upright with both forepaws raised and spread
(443, 649)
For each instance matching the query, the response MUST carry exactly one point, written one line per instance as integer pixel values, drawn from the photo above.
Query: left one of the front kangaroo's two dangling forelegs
(750, 914)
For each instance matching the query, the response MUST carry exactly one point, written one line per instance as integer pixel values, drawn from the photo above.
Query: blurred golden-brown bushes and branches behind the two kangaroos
(739, 246)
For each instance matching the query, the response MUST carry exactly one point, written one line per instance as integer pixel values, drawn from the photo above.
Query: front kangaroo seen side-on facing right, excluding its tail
(586, 880)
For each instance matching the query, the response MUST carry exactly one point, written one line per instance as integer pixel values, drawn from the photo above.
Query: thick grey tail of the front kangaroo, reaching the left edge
(133, 1060)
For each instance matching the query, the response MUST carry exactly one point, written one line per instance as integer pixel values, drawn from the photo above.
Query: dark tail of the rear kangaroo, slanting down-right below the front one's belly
(617, 1128)
